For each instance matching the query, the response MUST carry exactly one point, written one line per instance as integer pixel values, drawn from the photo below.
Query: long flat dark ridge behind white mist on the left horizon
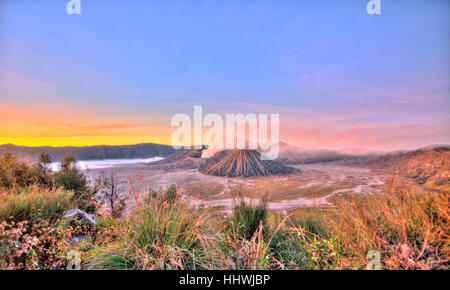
(144, 150)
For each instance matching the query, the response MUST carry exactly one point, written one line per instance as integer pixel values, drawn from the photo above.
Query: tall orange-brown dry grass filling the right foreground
(409, 228)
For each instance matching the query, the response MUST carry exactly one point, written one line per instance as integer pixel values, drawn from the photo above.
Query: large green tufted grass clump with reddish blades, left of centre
(162, 232)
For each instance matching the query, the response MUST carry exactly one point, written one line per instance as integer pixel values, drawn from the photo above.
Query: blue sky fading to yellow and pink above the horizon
(117, 73)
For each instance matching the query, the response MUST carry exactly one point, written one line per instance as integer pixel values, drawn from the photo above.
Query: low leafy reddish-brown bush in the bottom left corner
(47, 246)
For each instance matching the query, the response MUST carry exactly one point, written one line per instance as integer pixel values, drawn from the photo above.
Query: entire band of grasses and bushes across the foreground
(408, 228)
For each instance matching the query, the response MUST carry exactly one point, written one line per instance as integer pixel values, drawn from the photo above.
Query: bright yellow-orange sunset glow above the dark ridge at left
(66, 124)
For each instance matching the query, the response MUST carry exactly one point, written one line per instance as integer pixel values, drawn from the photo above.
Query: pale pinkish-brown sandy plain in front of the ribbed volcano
(314, 186)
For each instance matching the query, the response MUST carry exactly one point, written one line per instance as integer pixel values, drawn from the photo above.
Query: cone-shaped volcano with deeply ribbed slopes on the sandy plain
(246, 163)
